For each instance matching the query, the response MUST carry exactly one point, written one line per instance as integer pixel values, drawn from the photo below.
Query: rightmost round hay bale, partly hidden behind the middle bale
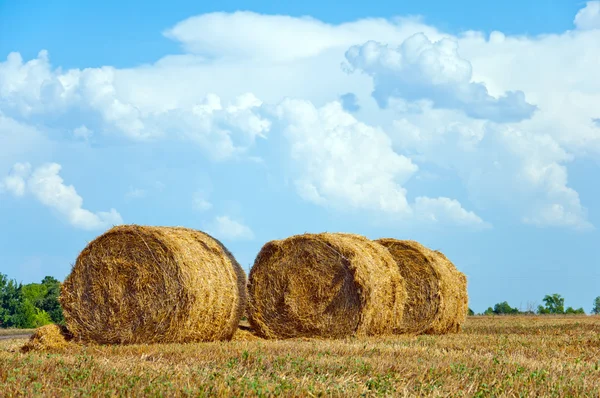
(437, 300)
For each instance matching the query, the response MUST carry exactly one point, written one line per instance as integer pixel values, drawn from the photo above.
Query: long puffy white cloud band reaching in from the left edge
(33, 89)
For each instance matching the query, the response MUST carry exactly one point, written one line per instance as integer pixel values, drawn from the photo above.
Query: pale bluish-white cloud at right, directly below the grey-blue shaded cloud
(500, 165)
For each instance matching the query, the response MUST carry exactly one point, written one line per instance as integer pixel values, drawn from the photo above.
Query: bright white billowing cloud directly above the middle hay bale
(343, 162)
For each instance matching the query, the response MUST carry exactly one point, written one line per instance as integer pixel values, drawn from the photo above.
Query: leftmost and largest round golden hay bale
(140, 284)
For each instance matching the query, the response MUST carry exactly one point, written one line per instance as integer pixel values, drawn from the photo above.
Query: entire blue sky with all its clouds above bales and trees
(466, 126)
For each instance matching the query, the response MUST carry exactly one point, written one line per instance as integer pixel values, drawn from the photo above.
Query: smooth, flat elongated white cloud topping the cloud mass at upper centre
(248, 35)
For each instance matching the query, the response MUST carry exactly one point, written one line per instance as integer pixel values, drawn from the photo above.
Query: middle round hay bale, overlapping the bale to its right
(324, 285)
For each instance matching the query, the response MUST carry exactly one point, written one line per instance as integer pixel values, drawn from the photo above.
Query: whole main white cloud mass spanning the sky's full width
(464, 83)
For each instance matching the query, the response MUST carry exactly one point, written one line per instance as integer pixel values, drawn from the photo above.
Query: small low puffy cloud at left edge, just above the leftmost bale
(46, 185)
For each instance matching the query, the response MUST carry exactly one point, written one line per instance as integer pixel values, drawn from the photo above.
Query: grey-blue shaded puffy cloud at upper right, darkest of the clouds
(419, 69)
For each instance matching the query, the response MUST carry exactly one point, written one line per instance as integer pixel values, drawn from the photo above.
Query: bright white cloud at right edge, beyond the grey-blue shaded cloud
(558, 74)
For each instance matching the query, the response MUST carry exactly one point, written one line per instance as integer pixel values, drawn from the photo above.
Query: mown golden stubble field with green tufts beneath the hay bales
(493, 356)
